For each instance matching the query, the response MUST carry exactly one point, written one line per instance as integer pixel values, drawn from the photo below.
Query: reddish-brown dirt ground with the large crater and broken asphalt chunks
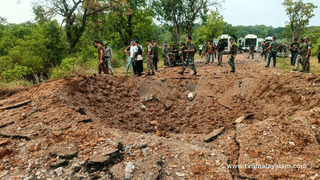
(84, 117)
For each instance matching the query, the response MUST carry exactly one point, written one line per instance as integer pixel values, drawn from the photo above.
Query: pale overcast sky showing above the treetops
(235, 12)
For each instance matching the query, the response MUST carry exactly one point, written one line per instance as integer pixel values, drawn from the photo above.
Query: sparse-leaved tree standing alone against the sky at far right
(299, 14)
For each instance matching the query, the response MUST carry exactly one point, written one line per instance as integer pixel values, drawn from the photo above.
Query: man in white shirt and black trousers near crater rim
(137, 58)
